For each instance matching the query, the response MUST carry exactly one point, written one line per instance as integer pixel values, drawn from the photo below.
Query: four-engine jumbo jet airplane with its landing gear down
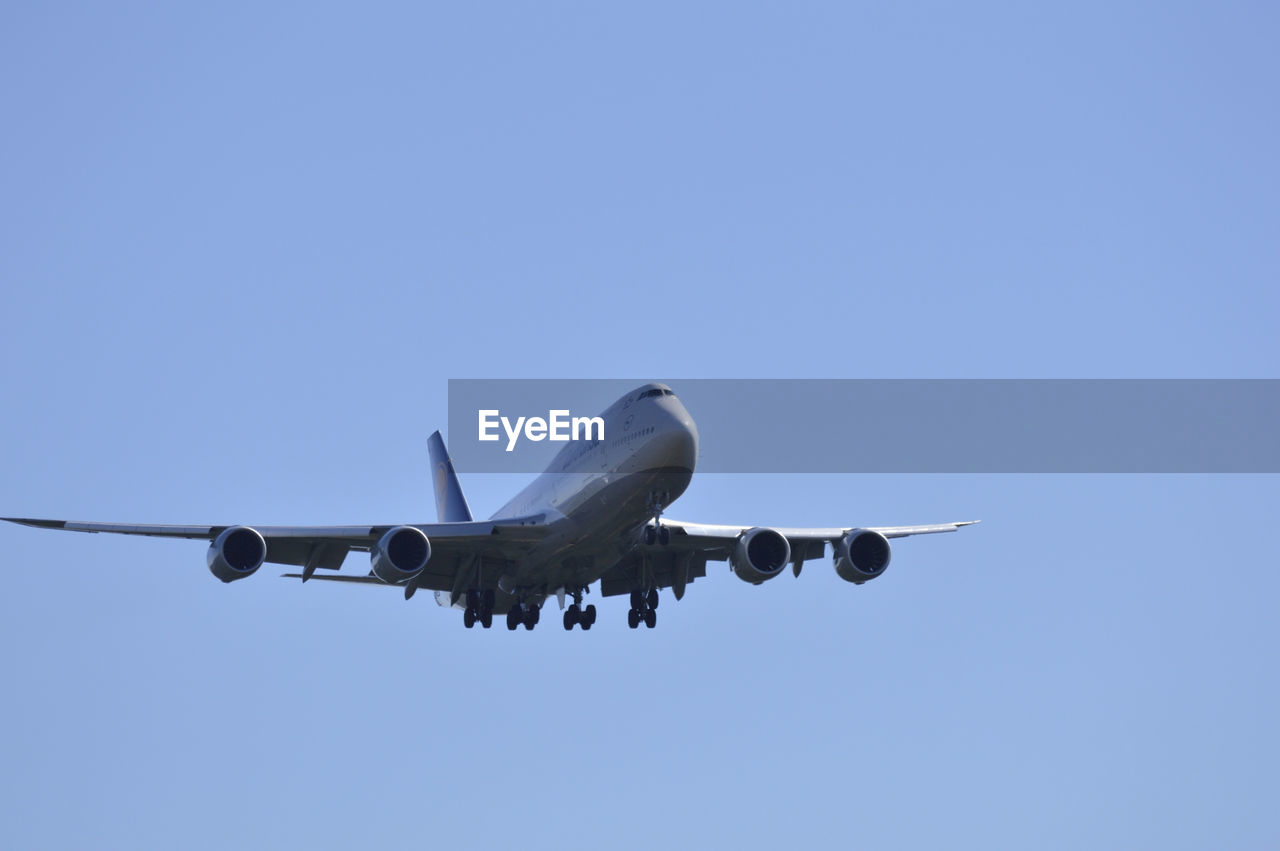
(595, 516)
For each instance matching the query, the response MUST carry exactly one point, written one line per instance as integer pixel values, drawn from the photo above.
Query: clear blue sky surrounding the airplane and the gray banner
(244, 248)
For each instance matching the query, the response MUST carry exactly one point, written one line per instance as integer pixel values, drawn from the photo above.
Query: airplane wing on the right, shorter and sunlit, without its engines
(692, 546)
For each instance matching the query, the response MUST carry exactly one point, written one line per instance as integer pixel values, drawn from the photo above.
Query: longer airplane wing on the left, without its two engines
(454, 546)
